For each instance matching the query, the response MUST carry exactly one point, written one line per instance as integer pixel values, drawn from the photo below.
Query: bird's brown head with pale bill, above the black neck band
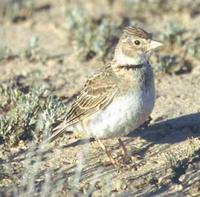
(135, 47)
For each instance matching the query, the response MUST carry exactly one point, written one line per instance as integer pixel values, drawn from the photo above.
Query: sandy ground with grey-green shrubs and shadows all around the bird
(47, 50)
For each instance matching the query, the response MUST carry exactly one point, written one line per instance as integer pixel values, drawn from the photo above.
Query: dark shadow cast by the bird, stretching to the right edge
(171, 131)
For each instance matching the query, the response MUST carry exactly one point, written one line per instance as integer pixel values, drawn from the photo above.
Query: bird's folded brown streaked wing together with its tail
(97, 93)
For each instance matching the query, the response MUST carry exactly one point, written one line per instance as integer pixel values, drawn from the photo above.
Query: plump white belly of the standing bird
(122, 116)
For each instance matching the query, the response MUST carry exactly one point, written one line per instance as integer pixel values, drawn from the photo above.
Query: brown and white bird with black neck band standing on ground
(120, 97)
